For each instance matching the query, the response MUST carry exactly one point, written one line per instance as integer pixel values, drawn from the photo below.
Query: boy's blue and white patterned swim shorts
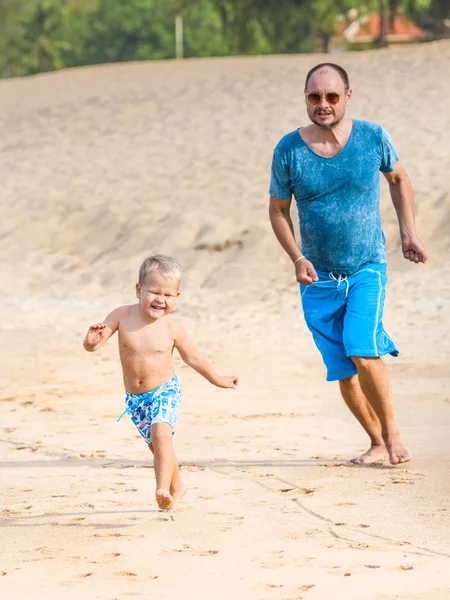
(160, 405)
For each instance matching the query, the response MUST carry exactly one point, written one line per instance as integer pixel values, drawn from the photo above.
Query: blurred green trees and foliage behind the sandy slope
(45, 35)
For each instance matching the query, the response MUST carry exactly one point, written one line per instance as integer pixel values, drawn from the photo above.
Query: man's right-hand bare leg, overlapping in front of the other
(375, 385)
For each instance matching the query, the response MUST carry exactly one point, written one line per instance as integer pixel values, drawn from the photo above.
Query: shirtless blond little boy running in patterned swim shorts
(148, 333)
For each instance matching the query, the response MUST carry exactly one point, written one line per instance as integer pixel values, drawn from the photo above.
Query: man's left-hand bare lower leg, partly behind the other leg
(359, 405)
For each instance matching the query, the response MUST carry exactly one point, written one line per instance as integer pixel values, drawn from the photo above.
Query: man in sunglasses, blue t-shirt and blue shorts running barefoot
(332, 167)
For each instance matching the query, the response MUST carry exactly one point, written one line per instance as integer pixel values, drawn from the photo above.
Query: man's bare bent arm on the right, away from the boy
(402, 195)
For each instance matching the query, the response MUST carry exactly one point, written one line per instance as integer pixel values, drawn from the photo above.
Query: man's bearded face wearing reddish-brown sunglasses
(324, 113)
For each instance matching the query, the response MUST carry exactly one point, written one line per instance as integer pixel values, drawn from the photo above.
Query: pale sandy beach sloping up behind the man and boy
(101, 166)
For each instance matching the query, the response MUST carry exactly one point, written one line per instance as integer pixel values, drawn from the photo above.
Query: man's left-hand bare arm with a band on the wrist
(280, 219)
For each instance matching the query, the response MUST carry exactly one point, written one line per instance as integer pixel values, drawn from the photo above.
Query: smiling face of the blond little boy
(157, 294)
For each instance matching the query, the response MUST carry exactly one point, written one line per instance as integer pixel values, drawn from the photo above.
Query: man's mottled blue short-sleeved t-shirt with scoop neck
(338, 198)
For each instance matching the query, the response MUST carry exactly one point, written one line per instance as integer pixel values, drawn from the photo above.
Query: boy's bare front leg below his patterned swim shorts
(164, 463)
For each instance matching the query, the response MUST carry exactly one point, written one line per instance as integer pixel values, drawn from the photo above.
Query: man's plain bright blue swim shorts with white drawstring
(344, 314)
